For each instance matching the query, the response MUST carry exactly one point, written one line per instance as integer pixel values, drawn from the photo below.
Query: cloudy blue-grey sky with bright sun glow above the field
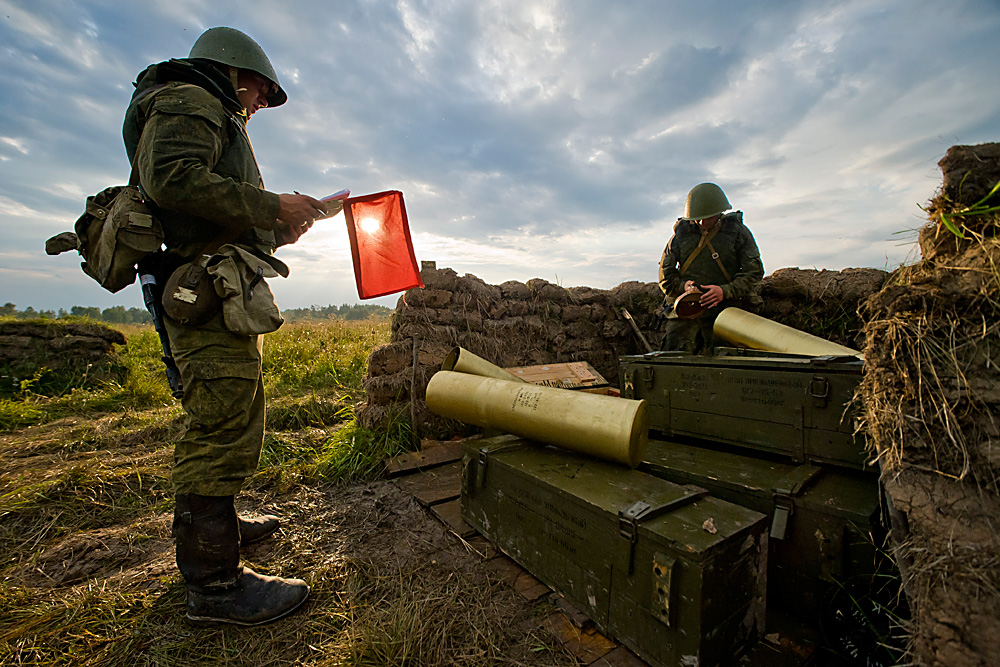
(531, 138)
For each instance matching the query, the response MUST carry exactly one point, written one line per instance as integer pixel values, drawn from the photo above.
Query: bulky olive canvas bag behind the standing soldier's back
(115, 231)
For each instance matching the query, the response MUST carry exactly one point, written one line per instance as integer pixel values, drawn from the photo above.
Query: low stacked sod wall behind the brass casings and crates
(526, 324)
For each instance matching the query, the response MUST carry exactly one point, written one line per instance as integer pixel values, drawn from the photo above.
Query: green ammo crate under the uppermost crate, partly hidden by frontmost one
(824, 521)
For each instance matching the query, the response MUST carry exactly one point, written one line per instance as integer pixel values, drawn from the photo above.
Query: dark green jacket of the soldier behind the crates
(737, 251)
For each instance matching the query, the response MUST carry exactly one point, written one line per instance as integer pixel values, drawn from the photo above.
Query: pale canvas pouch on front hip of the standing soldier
(248, 306)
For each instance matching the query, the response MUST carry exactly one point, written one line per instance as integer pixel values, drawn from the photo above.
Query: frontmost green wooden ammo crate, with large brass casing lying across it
(674, 574)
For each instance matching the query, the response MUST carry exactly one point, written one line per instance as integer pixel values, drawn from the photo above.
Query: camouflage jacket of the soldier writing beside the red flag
(186, 135)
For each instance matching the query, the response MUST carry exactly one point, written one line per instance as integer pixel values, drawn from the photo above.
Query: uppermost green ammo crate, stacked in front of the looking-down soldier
(796, 406)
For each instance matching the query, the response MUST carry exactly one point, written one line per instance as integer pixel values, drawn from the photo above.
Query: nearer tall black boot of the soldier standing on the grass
(219, 589)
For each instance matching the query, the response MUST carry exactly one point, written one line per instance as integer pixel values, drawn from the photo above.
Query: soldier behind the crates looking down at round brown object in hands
(712, 252)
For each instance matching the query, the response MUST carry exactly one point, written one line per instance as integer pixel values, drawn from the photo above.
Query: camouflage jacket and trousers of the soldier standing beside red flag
(187, 133)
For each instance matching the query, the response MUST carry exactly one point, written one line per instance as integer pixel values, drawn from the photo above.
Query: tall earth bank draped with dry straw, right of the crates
(932, 395)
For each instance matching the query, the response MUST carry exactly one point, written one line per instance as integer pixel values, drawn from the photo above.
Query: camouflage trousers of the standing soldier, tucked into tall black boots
(223, 405)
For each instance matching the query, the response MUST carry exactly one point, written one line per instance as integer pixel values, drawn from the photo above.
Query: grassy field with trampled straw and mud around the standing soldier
(86, 560)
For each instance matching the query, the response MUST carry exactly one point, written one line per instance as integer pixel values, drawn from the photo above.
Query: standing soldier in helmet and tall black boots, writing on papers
(185, 132)
